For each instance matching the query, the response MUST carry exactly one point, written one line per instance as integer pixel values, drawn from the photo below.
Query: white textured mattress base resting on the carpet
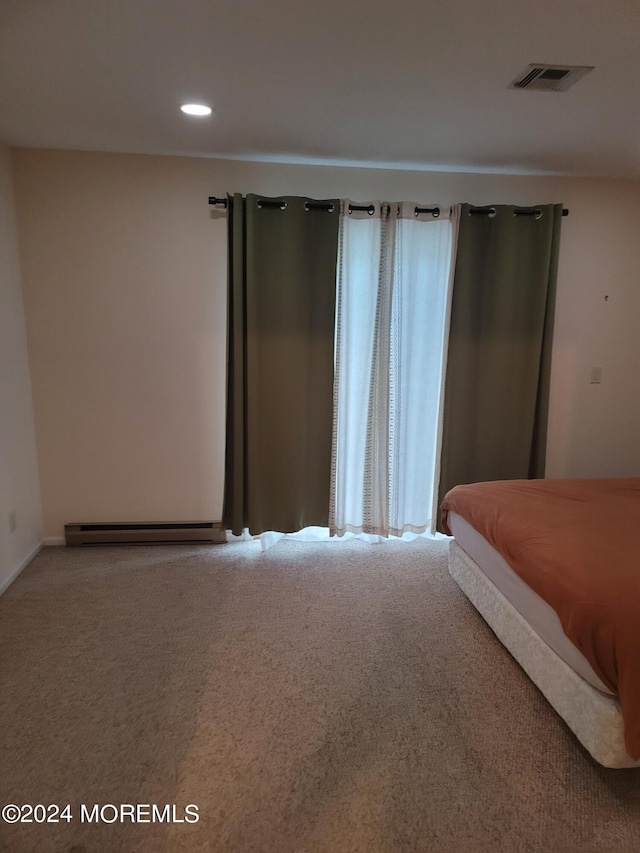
(594, 717)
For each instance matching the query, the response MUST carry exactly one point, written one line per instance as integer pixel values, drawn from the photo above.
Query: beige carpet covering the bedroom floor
(312, 698)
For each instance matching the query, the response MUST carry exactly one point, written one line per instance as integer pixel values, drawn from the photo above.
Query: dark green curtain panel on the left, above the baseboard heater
(281, 316)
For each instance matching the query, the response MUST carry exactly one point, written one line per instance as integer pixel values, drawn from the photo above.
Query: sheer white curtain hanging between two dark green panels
(395, 267)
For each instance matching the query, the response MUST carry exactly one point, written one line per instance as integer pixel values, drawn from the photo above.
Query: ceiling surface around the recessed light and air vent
(405, 83)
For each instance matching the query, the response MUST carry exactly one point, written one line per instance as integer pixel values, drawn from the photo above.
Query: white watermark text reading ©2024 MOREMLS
(100, 813)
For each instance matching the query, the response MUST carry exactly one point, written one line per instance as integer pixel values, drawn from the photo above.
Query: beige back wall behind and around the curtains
(124, 274)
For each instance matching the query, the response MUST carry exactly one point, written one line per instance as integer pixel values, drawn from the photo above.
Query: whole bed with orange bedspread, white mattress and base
(553, 566)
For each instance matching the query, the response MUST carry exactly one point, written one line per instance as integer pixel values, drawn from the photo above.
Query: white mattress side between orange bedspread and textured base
(540, 615)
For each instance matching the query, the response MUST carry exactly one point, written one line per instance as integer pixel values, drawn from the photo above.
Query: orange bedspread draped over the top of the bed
(577, 544)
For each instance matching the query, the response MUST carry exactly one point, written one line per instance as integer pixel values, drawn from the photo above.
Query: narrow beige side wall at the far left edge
(19, 487)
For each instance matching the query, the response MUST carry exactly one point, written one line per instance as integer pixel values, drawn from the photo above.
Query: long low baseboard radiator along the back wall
(145, 533)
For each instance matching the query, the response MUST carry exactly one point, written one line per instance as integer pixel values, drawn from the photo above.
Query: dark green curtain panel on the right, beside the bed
(497, 376)
